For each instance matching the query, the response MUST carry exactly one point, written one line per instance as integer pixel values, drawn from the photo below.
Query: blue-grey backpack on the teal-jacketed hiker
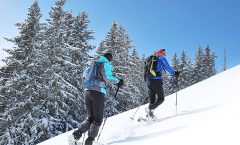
(92, 76)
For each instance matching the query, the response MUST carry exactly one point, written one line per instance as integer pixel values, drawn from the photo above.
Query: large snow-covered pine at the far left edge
(21, 83)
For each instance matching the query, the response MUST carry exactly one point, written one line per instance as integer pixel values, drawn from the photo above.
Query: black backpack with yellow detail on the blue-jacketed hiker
(151, 67)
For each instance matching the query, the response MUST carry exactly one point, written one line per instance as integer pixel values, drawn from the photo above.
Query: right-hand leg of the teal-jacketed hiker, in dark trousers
(98, 111)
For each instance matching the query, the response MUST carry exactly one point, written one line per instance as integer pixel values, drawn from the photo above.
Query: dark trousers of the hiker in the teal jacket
(95, 108)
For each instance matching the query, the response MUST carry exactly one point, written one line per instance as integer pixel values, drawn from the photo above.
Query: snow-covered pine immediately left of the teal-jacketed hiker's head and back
(78, 47)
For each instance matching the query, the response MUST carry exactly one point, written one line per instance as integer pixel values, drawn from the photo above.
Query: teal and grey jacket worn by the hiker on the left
(106, 73)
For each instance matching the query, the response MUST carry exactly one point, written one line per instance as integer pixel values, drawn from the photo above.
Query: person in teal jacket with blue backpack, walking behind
(94, 93)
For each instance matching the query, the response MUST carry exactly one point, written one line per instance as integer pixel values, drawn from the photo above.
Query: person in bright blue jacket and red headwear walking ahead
(155, 84)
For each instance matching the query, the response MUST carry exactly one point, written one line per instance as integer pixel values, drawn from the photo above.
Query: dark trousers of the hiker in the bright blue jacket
(155, 89)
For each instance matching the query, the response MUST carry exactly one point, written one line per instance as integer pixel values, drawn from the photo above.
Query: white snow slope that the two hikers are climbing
(207, 113)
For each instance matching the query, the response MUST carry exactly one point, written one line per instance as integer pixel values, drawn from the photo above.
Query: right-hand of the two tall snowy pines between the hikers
(126, 98)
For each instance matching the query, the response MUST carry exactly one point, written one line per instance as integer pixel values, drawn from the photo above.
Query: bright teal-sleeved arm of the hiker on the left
(107, 74)
